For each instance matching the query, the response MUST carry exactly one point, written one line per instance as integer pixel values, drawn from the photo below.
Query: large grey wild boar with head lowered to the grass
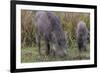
(49, 27)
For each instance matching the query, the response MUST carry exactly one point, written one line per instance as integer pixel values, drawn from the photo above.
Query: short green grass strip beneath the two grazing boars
(30, 54)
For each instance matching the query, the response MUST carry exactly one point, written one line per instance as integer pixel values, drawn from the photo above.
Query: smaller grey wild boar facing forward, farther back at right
(82, 35)
